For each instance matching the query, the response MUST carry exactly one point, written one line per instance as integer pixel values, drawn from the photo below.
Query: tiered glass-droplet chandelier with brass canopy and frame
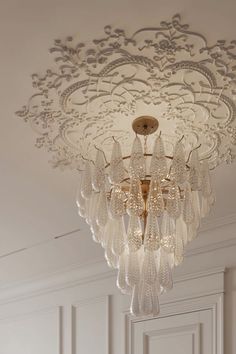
(143, 209)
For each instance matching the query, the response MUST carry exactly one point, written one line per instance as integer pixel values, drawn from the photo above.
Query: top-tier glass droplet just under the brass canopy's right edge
(158, 165)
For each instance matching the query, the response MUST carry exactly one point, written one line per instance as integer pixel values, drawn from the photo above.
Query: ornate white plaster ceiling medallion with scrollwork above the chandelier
(96, 89)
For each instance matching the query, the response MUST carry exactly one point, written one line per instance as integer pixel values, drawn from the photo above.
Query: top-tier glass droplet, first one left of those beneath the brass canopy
(116, 170)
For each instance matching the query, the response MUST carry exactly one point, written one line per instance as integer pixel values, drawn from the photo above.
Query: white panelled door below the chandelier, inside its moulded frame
(189, 333)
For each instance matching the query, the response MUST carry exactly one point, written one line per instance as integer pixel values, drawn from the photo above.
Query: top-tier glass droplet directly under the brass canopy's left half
(137, 168)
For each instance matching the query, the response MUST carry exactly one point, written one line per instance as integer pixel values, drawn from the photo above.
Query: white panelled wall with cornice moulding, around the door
(80, 311)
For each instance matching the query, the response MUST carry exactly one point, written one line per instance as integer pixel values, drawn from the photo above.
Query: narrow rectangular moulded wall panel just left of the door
(91, 326)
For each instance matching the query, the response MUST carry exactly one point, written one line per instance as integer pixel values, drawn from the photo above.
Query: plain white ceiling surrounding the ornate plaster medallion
(37, 202)
